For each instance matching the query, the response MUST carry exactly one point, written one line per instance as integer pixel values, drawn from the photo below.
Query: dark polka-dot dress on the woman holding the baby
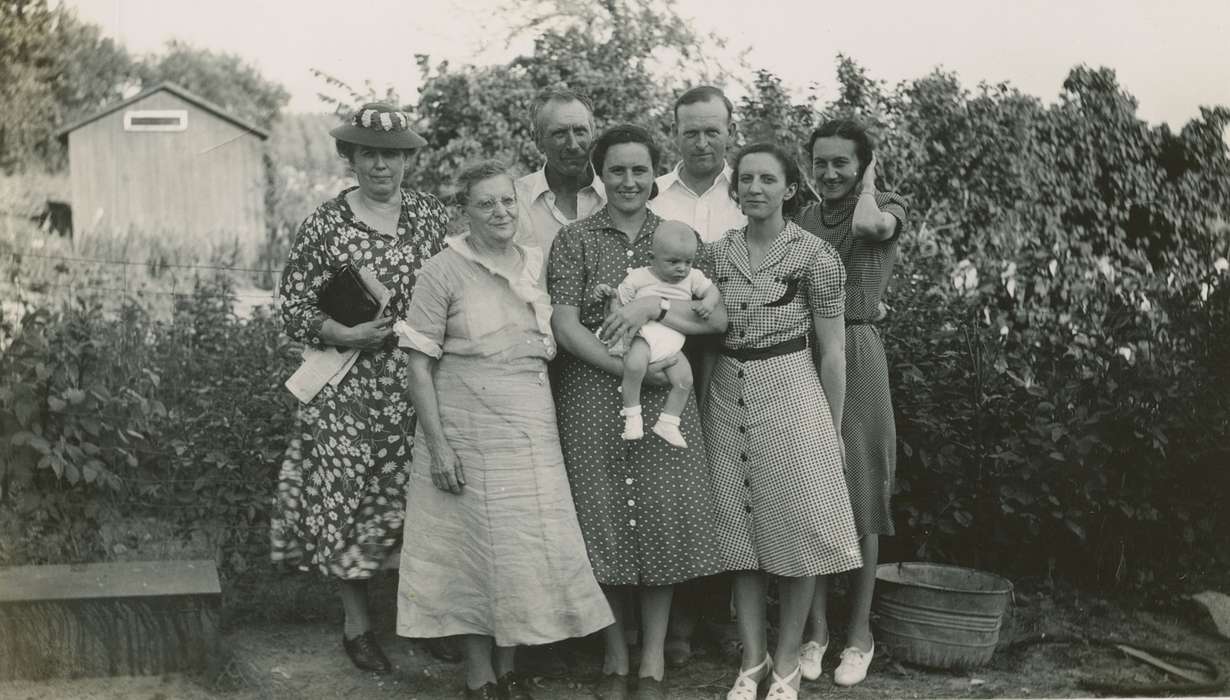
(645, 507)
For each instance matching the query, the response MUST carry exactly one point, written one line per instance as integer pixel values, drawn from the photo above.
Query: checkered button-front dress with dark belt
(773, 452)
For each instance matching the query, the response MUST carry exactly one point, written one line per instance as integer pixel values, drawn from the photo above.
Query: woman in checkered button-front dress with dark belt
(774, 455)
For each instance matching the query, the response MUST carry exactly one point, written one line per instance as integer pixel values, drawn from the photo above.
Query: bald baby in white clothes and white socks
(671, 276)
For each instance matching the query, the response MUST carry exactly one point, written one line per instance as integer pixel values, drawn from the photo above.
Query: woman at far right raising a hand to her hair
(864, 226)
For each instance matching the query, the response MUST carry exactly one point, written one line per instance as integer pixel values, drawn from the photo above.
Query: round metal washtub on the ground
(939, 616)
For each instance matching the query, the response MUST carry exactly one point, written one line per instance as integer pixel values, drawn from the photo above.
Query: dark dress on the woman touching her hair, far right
(868, 428)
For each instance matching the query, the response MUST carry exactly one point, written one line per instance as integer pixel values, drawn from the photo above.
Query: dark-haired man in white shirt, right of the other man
(698, 190)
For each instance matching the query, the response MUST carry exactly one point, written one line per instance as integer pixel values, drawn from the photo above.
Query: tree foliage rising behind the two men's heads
(630, 57)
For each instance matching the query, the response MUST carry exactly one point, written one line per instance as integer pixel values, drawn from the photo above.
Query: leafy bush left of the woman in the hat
(114, 416)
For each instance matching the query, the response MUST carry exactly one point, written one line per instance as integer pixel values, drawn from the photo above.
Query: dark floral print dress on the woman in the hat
(341, 491)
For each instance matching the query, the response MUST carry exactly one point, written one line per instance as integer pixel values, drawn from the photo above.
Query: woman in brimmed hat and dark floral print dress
(341, 490)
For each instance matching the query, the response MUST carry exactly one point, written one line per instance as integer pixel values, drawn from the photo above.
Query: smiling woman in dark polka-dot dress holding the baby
(644, 505)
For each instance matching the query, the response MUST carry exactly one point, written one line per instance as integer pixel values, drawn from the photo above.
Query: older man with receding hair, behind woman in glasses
(565, 189)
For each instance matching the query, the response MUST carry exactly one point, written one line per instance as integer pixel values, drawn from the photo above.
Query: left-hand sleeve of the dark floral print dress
(308, 270)
